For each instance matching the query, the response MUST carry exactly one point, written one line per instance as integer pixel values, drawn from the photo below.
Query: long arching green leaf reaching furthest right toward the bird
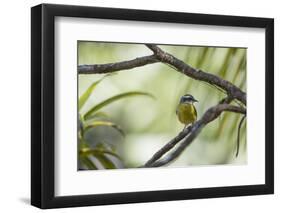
(115, 98)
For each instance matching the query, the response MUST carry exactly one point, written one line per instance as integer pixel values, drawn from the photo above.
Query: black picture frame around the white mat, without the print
(43, 105)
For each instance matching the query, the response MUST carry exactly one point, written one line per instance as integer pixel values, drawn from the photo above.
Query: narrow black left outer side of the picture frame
(36, 85)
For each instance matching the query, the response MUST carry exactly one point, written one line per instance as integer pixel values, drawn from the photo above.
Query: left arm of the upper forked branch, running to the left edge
(113, 67)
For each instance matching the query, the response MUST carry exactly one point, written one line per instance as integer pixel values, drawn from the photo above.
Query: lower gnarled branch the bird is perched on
(210, 115)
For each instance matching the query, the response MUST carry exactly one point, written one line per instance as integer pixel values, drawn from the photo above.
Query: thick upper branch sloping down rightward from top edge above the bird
(184, 68)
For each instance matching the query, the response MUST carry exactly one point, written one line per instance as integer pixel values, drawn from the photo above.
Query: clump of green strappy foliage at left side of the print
(102, 155)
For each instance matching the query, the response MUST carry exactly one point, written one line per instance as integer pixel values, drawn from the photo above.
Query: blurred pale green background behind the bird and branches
(149, 123)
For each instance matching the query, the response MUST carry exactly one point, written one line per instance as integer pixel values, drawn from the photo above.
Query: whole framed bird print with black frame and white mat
(140, 106)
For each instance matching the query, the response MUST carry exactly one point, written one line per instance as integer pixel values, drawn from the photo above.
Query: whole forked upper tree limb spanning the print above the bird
(161, 56)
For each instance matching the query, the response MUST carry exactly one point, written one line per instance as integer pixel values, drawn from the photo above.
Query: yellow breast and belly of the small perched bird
(186, 113)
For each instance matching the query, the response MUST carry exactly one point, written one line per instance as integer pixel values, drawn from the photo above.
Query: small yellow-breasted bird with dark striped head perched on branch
(186, 111)
